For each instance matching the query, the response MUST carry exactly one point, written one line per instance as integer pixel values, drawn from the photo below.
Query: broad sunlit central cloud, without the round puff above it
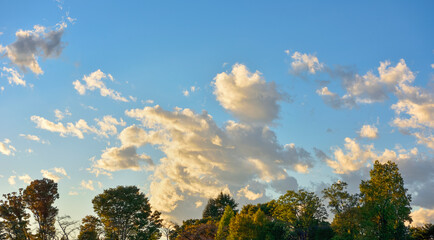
(201, 159)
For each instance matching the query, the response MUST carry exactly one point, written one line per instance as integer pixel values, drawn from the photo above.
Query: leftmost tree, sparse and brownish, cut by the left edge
(16, 220)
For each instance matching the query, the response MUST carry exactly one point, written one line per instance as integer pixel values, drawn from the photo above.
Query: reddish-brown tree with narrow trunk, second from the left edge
(39, 197)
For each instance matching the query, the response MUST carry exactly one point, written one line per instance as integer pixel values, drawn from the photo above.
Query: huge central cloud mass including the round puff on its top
(202, 159)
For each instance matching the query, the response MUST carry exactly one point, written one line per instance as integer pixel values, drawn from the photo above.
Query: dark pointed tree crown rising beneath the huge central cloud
(216, 206)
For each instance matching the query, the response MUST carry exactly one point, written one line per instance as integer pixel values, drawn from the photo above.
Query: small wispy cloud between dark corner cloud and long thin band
(94, 81)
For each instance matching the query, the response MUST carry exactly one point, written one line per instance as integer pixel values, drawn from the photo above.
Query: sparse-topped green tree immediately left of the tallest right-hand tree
(346, 208)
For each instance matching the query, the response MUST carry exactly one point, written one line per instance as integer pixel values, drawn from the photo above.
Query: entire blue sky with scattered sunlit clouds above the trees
(187, 99)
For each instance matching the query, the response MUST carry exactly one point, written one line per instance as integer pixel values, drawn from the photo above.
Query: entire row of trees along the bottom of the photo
(379, 211)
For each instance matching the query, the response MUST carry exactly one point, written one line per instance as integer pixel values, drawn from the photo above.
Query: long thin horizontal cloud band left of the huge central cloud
(106, 126)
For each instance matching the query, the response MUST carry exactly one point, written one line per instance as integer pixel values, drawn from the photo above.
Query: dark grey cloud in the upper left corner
(31, 44)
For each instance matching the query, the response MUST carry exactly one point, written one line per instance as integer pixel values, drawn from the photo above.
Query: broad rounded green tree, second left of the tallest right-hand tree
(302, 211)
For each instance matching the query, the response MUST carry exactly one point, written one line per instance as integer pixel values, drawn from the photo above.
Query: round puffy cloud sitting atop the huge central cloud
(247, 95)
